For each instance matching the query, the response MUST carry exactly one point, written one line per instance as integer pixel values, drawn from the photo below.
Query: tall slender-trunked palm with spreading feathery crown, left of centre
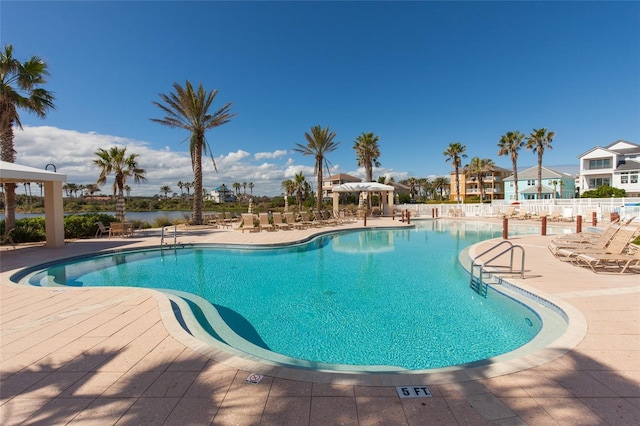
(188, 109)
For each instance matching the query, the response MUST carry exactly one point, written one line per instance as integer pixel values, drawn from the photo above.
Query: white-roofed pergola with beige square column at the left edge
(53, 209)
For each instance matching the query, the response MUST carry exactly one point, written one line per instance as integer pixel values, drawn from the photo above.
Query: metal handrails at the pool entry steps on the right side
(486, 269)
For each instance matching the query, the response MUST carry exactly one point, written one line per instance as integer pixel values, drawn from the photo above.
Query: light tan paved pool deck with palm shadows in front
(106, 356)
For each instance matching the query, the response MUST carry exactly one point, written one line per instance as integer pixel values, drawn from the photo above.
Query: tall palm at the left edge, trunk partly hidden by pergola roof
(20, 88)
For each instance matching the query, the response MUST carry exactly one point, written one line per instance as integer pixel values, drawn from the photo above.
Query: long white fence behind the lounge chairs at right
(585, 207)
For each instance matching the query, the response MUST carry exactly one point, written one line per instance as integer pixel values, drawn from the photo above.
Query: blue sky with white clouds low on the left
(420, 75)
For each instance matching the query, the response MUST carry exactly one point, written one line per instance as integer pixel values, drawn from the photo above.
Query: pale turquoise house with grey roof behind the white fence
(555, 185)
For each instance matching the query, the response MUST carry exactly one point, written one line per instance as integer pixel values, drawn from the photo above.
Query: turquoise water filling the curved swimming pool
(396, 298)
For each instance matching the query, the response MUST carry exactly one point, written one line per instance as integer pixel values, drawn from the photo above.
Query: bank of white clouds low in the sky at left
(73, 153)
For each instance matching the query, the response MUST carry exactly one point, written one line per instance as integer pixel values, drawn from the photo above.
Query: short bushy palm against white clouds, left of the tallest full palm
(123, 166)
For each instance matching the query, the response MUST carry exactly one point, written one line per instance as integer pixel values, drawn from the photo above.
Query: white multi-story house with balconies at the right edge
(616, 165)
